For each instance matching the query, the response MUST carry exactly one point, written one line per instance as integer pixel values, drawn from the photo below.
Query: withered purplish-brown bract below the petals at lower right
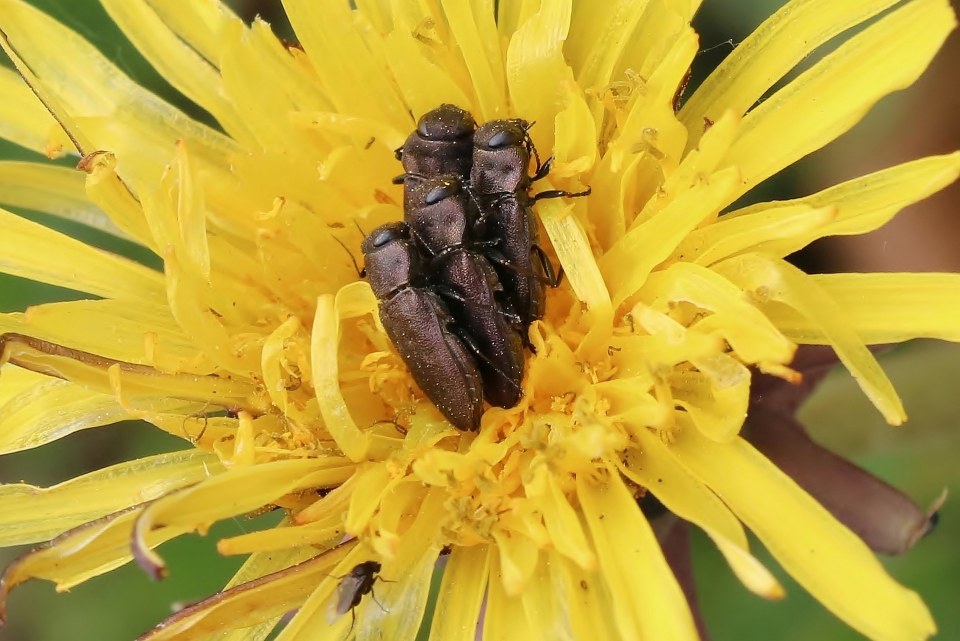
(887, 520)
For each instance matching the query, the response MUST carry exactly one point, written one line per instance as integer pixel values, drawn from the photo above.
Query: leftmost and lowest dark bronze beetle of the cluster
(421, 328)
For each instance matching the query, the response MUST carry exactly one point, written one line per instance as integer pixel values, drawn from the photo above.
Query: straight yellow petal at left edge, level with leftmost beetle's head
(33, 251)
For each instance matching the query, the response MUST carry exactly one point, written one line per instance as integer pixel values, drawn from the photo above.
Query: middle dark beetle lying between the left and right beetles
(437, 212)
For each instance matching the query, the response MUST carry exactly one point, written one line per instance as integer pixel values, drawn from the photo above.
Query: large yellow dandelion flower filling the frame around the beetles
(259, 345)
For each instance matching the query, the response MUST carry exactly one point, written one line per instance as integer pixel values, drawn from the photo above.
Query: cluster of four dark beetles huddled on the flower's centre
(461, 279)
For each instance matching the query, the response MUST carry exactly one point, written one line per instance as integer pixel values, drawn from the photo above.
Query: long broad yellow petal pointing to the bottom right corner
(827, 559)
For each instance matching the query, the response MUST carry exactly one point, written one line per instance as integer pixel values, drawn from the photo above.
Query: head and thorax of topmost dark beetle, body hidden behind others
(441, 144)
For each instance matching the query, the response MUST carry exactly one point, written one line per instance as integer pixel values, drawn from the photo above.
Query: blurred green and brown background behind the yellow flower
(920, 458)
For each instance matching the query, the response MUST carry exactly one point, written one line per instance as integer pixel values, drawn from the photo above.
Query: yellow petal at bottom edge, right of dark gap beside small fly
(461, 595)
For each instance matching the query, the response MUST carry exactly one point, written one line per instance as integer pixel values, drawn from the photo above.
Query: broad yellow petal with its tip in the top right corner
(831, 97)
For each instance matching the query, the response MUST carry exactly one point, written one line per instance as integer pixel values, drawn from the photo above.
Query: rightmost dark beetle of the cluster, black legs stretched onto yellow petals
(501, 185)
